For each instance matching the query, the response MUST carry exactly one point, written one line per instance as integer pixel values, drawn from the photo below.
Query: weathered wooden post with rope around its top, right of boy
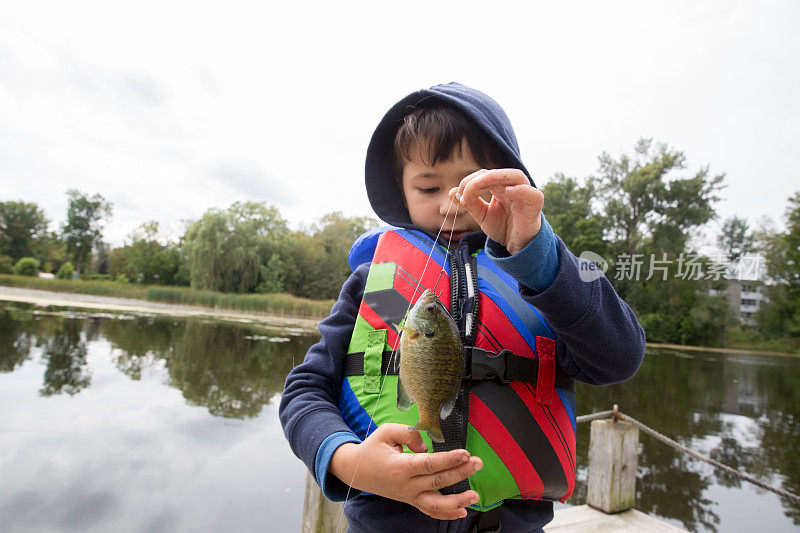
(613, 457)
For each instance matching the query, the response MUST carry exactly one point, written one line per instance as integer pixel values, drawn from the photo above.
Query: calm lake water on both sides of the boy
(134, 423)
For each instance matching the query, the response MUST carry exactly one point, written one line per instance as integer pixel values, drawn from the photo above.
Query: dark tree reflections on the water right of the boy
(742, 411)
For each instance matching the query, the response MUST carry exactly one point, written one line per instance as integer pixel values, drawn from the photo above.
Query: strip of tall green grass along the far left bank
(283, 304)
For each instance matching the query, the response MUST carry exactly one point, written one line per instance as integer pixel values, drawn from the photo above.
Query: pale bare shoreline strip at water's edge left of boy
(113, 303)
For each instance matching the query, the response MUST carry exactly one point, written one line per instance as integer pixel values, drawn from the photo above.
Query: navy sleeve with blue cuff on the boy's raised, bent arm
(600, 340)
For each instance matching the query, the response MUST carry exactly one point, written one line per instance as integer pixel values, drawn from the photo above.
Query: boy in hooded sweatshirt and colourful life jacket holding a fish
(519, 302)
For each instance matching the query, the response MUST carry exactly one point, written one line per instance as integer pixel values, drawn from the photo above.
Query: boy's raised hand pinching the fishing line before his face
(512, 217)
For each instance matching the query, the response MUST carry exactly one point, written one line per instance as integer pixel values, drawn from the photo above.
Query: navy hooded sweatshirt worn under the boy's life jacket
(599, 339)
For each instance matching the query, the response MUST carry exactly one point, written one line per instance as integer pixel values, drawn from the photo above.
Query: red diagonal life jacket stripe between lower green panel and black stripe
(506, 448)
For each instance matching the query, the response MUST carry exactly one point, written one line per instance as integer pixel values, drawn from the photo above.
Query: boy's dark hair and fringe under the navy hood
(438, 129)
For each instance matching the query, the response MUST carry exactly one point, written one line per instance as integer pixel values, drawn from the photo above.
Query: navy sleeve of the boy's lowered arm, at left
(309, 408)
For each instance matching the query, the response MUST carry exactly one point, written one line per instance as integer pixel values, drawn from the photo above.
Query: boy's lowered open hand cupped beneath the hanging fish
(385, 470)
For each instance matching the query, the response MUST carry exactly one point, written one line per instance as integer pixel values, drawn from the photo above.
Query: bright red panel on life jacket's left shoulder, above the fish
(393, 248)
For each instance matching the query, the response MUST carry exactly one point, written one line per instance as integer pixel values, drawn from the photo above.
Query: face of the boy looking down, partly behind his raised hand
(425, 191)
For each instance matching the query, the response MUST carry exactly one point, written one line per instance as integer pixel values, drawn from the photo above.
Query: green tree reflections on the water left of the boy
(232, 370)
